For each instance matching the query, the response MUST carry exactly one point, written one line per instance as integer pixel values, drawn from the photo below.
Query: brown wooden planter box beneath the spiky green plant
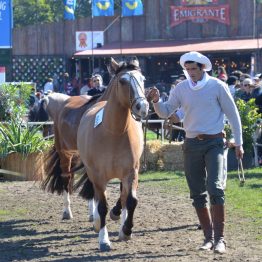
(30, 168)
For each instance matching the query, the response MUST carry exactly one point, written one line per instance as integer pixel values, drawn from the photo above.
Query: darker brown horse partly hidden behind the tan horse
(66, 112)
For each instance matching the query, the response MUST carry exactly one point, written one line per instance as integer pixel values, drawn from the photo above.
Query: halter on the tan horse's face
(135, 101)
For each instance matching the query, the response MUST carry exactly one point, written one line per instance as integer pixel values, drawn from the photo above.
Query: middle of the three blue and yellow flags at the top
(102, 7)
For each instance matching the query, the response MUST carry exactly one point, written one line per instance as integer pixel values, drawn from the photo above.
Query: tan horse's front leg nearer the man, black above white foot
(125, 232)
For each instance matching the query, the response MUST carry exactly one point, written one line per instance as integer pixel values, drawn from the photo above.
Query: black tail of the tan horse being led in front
(87, 190)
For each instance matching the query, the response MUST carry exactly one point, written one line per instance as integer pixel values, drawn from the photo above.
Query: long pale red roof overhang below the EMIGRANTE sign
(172, 47)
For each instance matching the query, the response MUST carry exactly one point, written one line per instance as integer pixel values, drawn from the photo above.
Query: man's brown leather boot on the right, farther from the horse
(218, 216)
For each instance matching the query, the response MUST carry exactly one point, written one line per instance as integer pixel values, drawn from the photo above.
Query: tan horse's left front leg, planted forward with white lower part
(100, 221)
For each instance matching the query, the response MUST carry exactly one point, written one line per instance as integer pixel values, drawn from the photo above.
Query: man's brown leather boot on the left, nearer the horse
(206, 225)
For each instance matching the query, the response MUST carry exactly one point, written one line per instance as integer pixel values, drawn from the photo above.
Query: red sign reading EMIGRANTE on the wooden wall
(199, 14)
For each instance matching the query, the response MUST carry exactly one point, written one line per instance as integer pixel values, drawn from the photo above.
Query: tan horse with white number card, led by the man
(110, 144)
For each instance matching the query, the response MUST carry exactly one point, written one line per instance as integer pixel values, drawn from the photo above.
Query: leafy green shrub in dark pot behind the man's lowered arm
(249, 115)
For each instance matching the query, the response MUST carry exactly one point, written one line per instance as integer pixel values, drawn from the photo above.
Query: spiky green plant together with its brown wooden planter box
(22, 149)
